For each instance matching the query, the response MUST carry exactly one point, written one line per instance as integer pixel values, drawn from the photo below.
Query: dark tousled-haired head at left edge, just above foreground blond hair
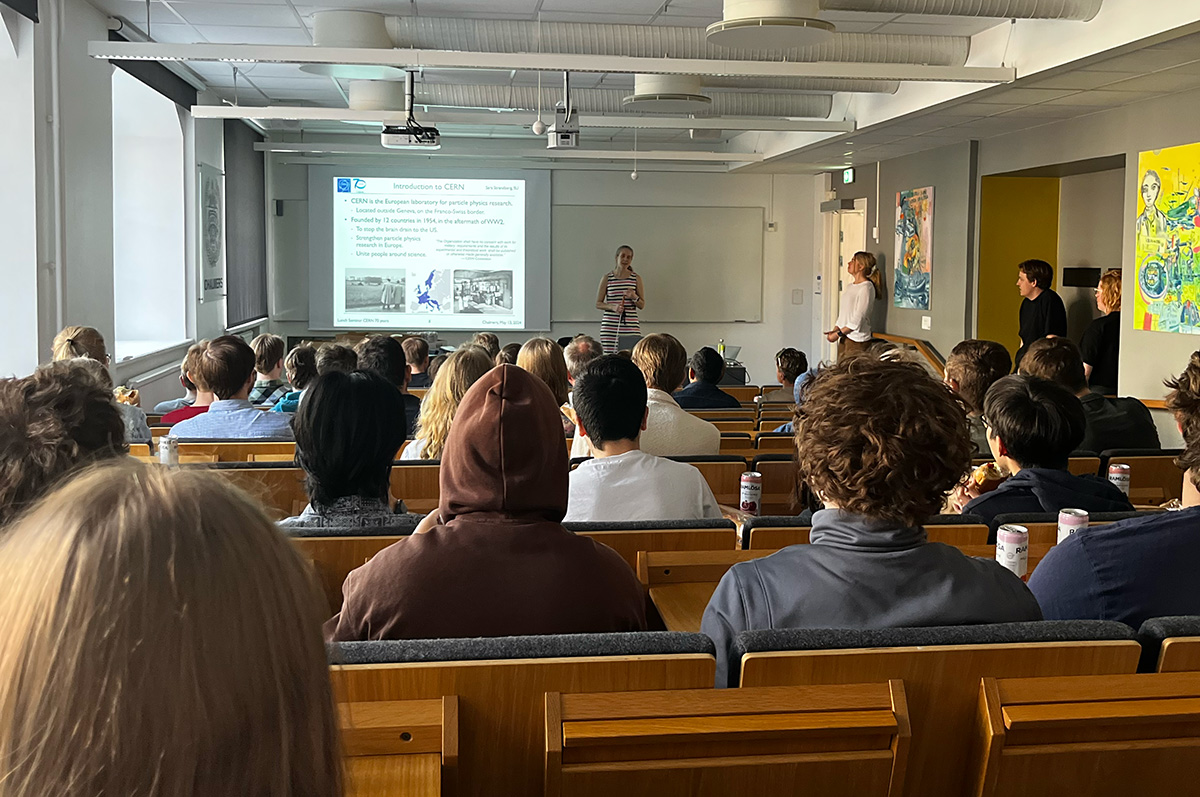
(53, 423)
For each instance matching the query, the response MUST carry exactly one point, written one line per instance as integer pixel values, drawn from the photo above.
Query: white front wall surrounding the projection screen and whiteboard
(790, 255)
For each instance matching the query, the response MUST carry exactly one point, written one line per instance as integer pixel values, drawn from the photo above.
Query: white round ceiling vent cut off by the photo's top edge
(771, 25)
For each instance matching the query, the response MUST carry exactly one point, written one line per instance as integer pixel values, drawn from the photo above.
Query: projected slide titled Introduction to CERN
(429, 253)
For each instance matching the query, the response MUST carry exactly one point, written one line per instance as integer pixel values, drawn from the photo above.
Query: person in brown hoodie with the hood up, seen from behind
(499, 564)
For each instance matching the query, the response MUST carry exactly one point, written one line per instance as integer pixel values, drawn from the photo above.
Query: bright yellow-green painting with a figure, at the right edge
(1168, 242)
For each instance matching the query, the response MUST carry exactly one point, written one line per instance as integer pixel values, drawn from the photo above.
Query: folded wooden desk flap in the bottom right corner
(1107, 736)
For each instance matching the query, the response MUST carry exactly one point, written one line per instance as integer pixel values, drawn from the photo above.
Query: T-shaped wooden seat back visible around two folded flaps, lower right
(943, 687)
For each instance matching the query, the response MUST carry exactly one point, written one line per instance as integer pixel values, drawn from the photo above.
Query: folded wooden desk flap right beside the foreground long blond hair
(400, 747)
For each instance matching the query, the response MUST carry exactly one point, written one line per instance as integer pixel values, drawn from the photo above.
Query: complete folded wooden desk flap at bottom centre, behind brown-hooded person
(836, 741)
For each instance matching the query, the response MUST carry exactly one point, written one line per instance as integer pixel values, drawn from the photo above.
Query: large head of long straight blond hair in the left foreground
(161, 638)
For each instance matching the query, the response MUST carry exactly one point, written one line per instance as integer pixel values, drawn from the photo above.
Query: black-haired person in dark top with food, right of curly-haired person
(1034, 426)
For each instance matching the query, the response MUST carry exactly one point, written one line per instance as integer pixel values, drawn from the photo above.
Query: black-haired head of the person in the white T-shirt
(610, 400)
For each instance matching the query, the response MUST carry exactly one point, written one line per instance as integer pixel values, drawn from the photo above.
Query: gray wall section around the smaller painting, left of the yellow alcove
(950, 170)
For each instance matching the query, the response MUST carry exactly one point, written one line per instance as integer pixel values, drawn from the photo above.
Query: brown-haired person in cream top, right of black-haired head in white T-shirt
(670, 432)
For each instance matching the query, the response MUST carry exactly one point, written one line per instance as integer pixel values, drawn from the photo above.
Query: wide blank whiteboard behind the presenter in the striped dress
(698, 265)
